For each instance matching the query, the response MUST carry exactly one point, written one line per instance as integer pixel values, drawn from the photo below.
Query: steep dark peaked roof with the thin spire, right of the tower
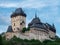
(36, 23)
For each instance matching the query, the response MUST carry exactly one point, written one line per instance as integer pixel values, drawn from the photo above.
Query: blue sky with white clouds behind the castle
(47, 10)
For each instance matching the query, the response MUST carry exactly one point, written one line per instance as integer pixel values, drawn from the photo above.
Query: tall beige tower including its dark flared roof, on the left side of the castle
(18, 20)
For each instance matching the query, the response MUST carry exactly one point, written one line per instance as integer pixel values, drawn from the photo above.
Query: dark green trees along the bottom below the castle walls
(18, 41)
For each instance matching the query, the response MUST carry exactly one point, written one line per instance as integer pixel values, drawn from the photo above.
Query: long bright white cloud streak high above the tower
(24, 4)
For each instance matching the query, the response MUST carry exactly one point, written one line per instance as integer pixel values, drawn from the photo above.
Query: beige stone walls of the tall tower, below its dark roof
(17, 23)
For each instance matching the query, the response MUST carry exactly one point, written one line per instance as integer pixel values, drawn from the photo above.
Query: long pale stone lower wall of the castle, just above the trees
(32, 34)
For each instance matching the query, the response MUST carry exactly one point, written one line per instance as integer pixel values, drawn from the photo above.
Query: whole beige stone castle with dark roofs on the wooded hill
(38, 30)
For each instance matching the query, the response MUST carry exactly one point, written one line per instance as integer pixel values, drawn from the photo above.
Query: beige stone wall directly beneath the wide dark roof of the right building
(40, 34)
